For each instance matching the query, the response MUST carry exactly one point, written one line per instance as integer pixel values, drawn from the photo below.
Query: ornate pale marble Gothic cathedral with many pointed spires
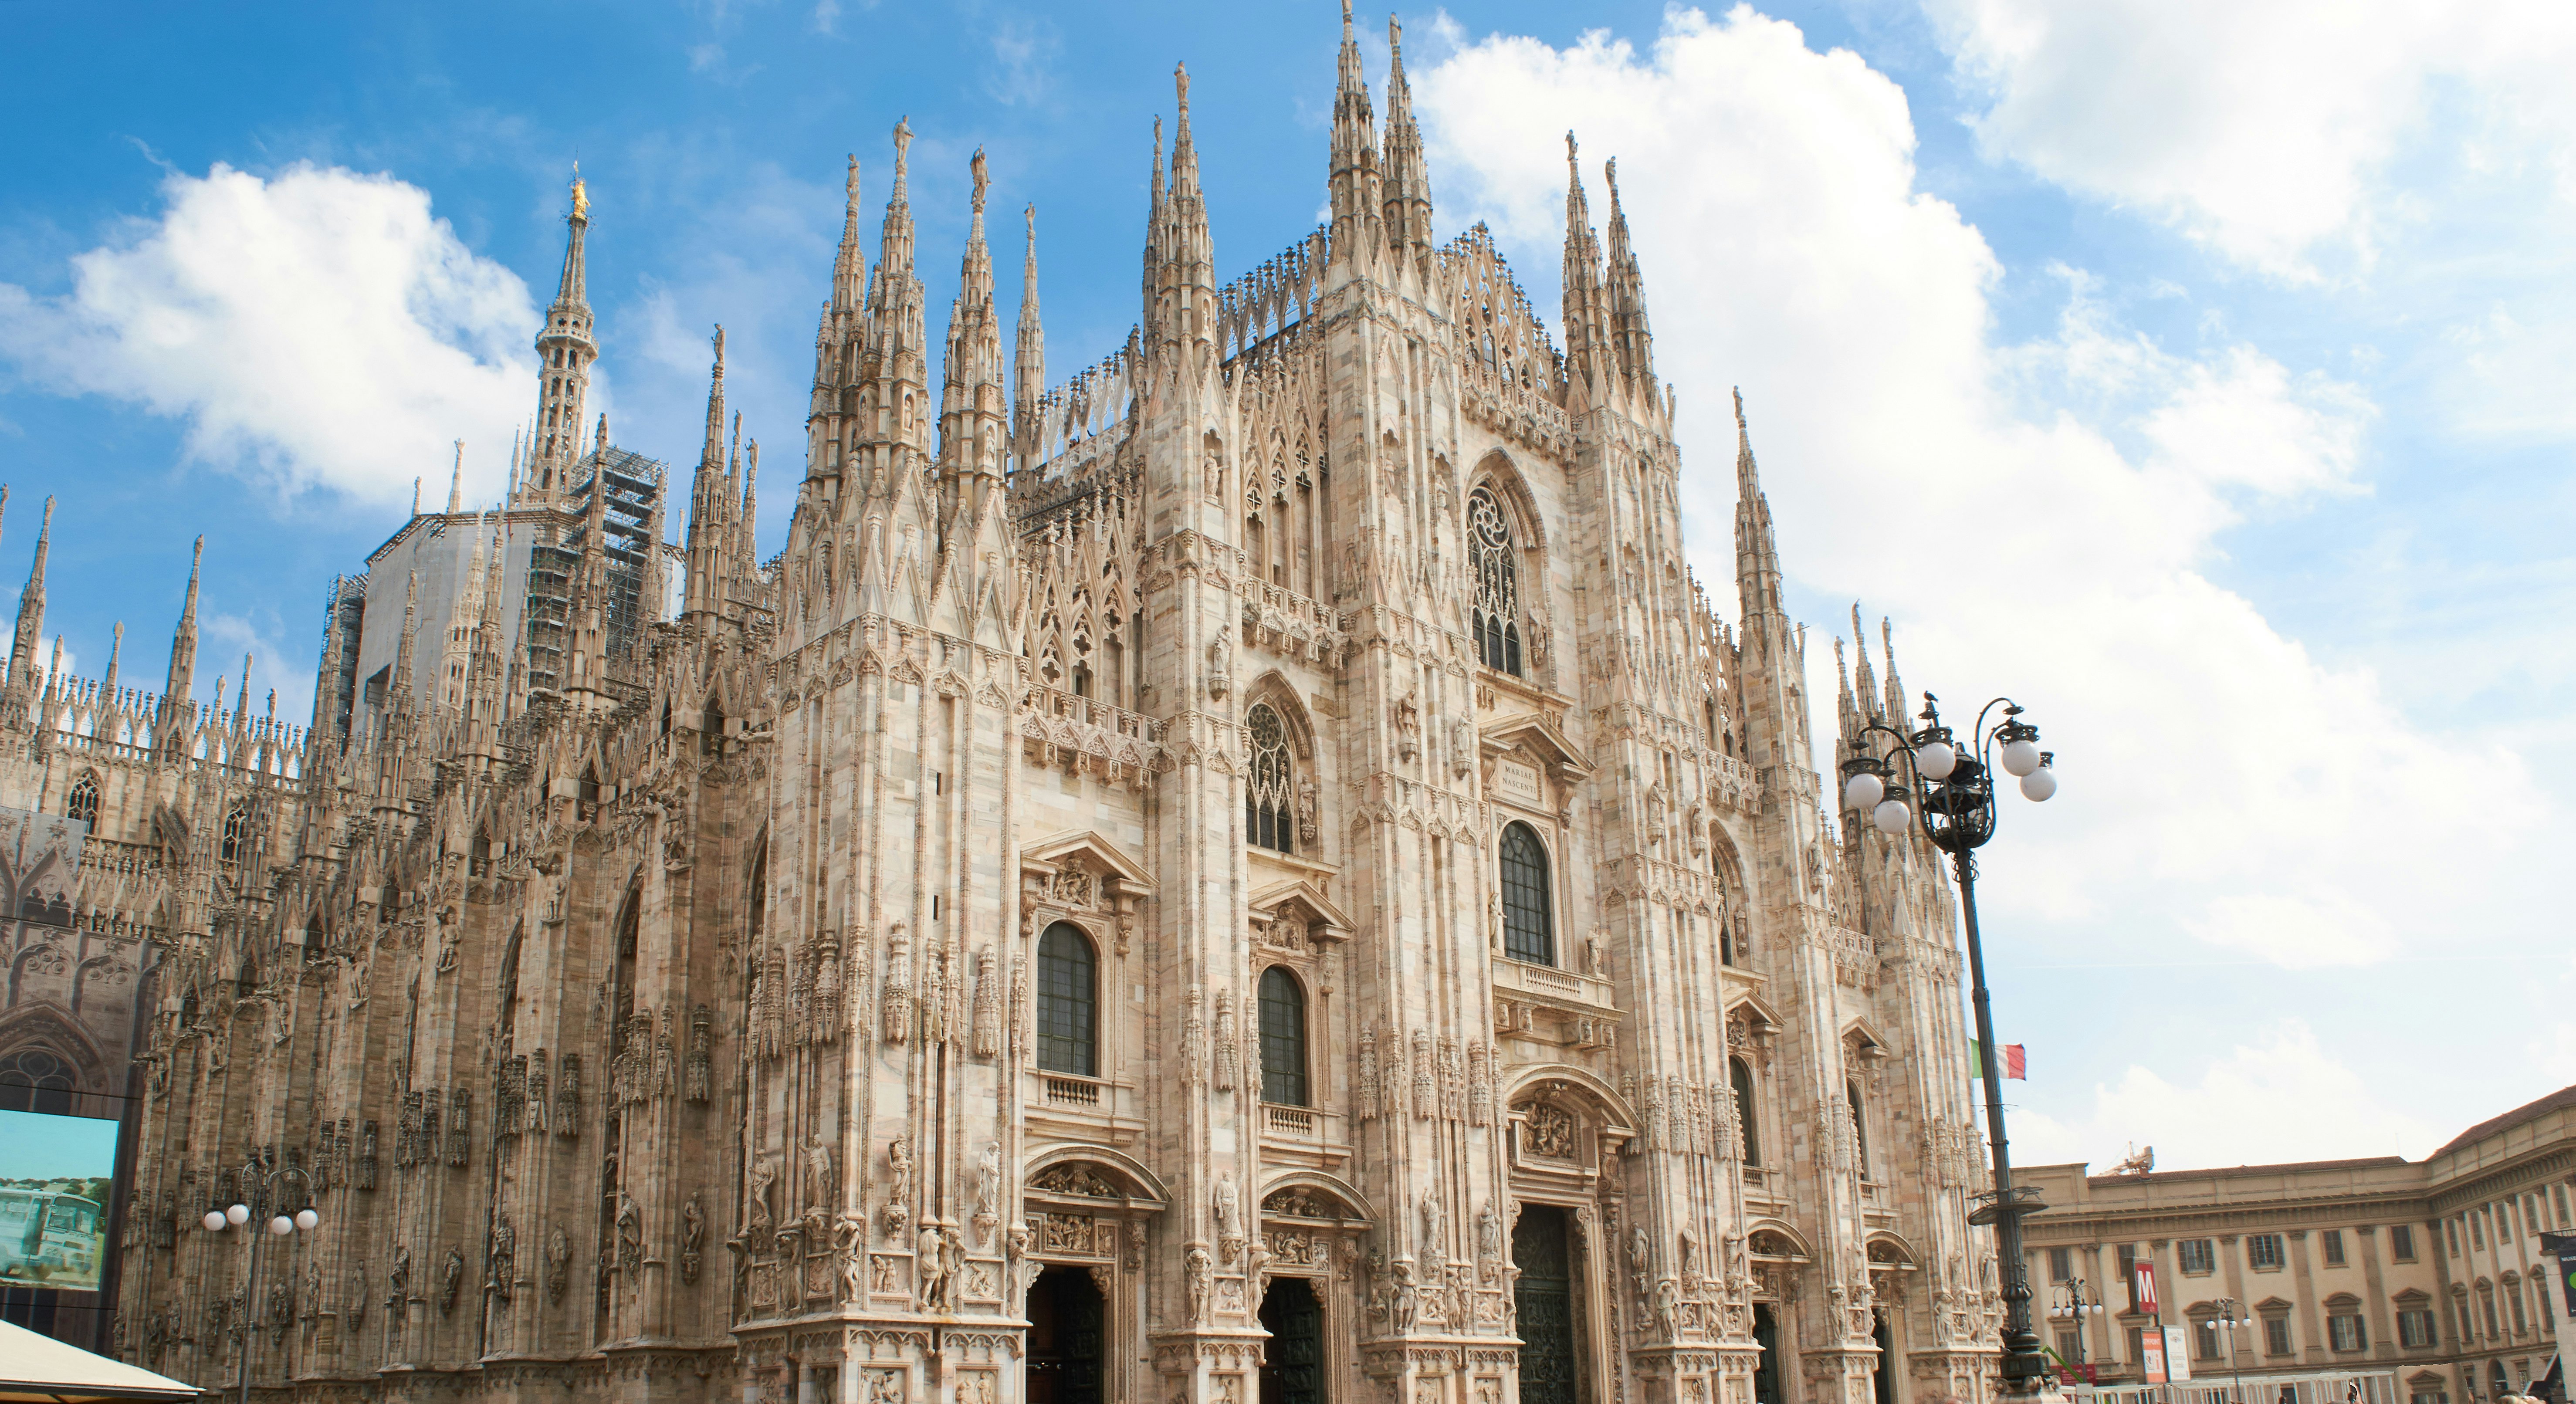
(1243, 875)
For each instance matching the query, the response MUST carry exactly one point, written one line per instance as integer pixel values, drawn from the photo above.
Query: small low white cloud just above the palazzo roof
(2278, 1099)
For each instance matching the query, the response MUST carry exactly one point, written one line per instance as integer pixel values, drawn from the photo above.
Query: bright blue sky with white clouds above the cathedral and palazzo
(2188, 370)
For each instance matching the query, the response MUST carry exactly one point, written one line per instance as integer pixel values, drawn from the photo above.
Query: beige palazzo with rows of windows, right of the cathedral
(2407, 1282)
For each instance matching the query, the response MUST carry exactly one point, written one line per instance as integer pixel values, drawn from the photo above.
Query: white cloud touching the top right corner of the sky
(2266, 130)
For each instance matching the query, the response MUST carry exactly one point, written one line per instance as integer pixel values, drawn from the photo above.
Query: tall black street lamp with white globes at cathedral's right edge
(1954, 805)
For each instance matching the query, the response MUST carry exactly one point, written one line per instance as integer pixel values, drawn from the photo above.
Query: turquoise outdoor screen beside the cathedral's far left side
(55, 1176)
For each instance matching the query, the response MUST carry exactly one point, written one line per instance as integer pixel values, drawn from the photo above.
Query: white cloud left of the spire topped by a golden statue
(318, 328)
